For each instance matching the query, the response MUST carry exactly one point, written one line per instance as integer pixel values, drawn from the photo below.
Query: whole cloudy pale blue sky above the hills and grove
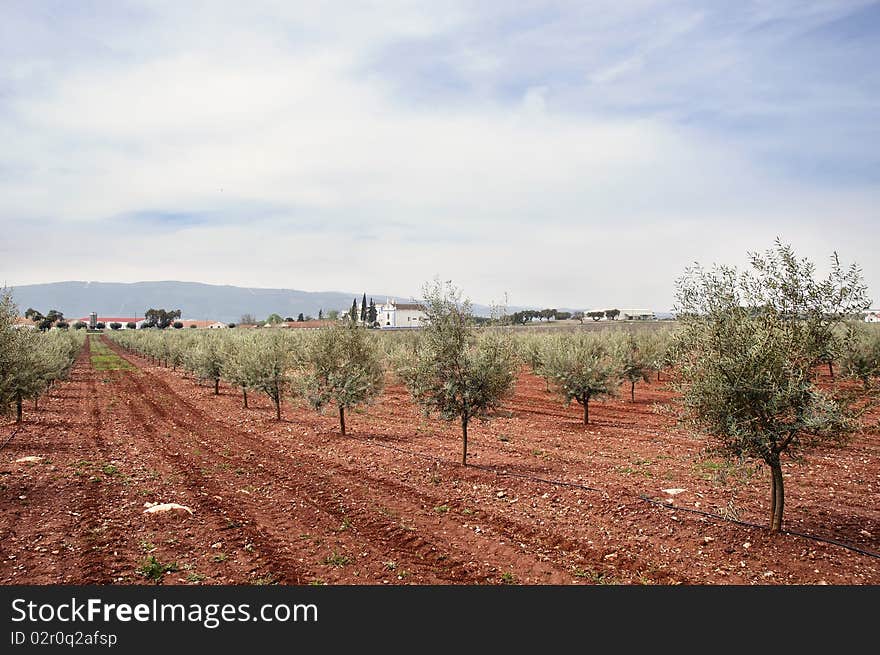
(561, 154)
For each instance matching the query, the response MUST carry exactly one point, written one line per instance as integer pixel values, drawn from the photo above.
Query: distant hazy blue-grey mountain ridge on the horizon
(194, 299)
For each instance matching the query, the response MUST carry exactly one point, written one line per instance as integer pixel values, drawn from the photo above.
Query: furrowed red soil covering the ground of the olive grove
(294, 502)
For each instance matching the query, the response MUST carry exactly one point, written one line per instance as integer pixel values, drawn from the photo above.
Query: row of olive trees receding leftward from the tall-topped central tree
(448, 367)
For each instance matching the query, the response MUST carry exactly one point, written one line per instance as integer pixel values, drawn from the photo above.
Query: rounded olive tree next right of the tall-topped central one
(580, 366)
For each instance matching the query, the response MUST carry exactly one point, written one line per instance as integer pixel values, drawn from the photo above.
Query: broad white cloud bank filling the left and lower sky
(318, 176)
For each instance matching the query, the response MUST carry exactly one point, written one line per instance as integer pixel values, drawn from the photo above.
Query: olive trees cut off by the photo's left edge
(30, 360)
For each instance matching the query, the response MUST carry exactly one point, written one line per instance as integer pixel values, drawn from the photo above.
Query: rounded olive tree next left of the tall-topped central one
(343, 365)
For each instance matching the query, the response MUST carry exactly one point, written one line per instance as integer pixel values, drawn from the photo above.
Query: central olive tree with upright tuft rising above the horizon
(453, 371)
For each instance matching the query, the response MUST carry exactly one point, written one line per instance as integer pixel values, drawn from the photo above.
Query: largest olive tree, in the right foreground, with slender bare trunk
(748, 350)
